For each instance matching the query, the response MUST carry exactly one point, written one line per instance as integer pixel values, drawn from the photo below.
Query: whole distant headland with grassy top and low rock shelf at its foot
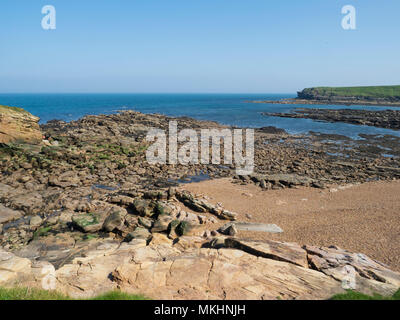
(372, 96)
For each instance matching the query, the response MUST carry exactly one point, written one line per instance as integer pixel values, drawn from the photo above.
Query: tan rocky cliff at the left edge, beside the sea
(18, 125)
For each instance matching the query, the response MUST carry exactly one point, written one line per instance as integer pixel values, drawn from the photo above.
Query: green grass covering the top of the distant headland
(364, 92)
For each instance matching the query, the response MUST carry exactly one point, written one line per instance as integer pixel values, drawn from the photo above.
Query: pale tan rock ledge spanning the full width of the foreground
(239, 269)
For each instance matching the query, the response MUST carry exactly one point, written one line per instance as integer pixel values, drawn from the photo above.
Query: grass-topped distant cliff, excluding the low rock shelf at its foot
(372, 92)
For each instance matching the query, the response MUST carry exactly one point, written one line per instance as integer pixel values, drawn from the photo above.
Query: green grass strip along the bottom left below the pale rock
(36, 294)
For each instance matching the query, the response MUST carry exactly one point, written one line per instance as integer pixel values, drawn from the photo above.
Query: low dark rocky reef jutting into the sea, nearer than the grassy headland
(389, 119)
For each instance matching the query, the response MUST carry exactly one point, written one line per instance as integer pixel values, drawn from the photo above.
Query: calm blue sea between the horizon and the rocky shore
(230, 109)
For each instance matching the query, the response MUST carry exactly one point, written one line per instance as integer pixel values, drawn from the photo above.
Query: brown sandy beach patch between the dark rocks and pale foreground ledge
(361, 218)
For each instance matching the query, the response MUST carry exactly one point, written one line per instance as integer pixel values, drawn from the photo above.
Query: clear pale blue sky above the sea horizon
(246, 46)
